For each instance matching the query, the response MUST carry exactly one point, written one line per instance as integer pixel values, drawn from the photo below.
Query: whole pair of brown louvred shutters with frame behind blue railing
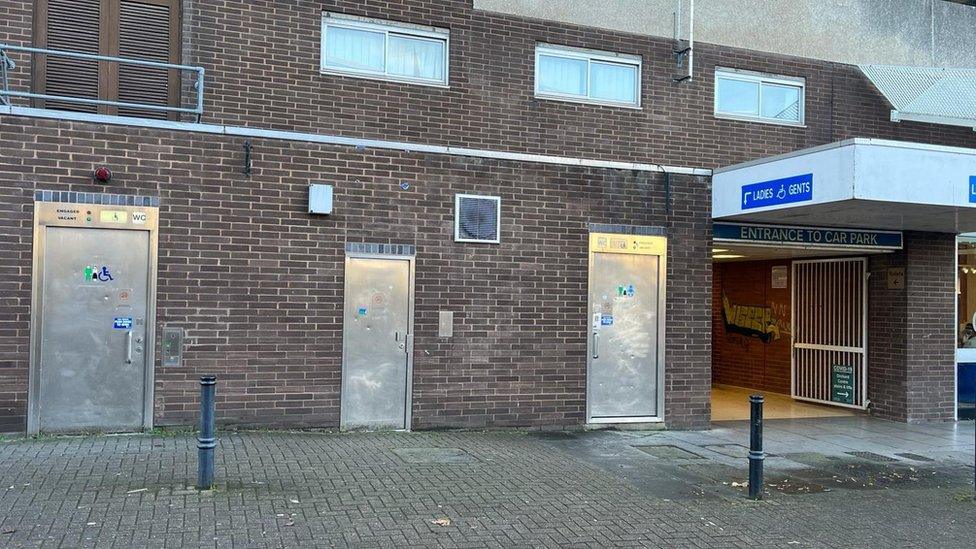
(147, 30)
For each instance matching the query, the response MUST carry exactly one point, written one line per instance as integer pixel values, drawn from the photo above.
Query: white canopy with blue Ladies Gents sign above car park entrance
(857, 183)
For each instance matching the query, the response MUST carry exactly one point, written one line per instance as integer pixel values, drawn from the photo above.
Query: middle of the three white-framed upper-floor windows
(592, 77)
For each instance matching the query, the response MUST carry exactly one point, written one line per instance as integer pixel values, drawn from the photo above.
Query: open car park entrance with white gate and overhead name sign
(790, 318)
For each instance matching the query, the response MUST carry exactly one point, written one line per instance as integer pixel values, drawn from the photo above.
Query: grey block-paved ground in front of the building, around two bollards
(912, 487)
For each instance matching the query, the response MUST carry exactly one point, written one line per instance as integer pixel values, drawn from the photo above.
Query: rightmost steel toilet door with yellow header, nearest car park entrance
(625, 347)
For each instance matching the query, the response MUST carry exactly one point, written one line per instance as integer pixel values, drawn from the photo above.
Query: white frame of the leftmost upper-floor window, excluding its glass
(387, 28)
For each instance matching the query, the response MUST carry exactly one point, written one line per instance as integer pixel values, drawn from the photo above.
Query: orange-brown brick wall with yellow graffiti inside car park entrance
(746, 360)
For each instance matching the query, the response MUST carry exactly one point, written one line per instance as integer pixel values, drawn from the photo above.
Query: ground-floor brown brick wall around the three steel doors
(257, 283)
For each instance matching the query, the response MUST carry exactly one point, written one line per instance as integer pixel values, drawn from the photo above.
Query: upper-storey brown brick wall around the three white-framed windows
(262, 60)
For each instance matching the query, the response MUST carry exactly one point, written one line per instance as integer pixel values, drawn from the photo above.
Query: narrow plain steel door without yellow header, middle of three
(377, 343)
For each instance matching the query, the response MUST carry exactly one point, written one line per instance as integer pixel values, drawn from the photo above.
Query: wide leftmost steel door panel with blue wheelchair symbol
(94, 301)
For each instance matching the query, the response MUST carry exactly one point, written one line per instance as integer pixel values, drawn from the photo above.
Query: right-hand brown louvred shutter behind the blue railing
(146, 32)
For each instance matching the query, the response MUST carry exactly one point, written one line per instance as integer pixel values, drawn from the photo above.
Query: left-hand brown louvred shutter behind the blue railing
(69, 25)
